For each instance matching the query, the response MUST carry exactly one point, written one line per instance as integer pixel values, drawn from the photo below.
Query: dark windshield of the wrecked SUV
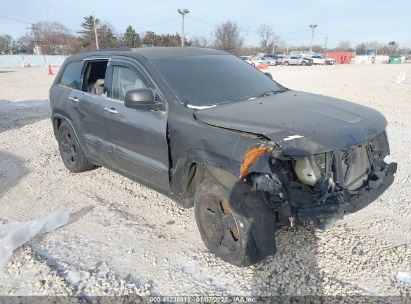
(214, 79)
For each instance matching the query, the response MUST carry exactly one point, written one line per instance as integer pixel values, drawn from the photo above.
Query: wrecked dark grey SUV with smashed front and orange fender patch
(211, 131)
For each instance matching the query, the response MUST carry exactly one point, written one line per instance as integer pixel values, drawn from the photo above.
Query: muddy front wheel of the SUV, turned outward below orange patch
(232, 222)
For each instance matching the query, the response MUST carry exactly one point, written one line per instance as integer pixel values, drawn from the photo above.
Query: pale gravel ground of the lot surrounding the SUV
(128, 239)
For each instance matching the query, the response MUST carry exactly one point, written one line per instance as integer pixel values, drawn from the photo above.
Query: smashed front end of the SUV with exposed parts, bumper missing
(323, 187)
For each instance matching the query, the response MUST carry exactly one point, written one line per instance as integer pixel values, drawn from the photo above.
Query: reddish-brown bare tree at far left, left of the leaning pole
(52, 38)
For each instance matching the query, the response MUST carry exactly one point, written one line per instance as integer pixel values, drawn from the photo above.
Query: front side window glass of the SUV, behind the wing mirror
(124, 80)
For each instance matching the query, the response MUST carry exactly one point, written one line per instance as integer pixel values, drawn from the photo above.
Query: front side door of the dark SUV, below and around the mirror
(138, 136)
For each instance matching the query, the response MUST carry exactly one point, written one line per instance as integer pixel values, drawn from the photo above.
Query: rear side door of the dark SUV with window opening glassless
(86, 111)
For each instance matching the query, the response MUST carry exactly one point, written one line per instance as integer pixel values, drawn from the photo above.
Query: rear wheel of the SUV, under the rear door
(70, 150)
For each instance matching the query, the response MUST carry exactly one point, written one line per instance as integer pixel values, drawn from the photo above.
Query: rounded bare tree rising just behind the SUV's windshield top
(228, 37)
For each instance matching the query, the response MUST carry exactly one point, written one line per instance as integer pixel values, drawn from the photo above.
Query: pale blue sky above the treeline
(355, 21)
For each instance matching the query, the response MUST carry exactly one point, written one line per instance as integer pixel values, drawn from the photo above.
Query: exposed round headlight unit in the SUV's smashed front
(310, 169)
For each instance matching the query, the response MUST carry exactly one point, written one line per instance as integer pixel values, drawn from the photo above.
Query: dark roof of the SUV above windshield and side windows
(151, 52)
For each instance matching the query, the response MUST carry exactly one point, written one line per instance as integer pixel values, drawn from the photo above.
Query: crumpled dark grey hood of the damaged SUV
(300, 123)
